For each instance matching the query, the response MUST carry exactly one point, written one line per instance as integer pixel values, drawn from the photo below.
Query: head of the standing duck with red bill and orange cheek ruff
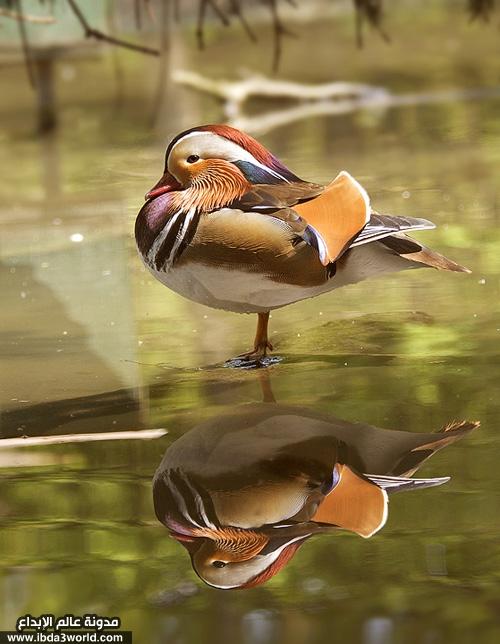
(217, 164)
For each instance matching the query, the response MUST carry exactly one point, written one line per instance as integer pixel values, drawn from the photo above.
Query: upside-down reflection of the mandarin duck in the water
(243, 491)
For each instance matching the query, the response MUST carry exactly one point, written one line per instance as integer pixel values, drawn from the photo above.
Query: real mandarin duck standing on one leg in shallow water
(229, 226)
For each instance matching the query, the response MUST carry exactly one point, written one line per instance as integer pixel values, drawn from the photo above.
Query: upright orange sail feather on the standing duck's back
(337, 215)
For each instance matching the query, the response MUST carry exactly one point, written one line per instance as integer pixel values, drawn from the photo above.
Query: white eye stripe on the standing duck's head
(210, 145)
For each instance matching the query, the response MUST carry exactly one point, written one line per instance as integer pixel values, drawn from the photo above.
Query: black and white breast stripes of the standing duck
(173, 239)
